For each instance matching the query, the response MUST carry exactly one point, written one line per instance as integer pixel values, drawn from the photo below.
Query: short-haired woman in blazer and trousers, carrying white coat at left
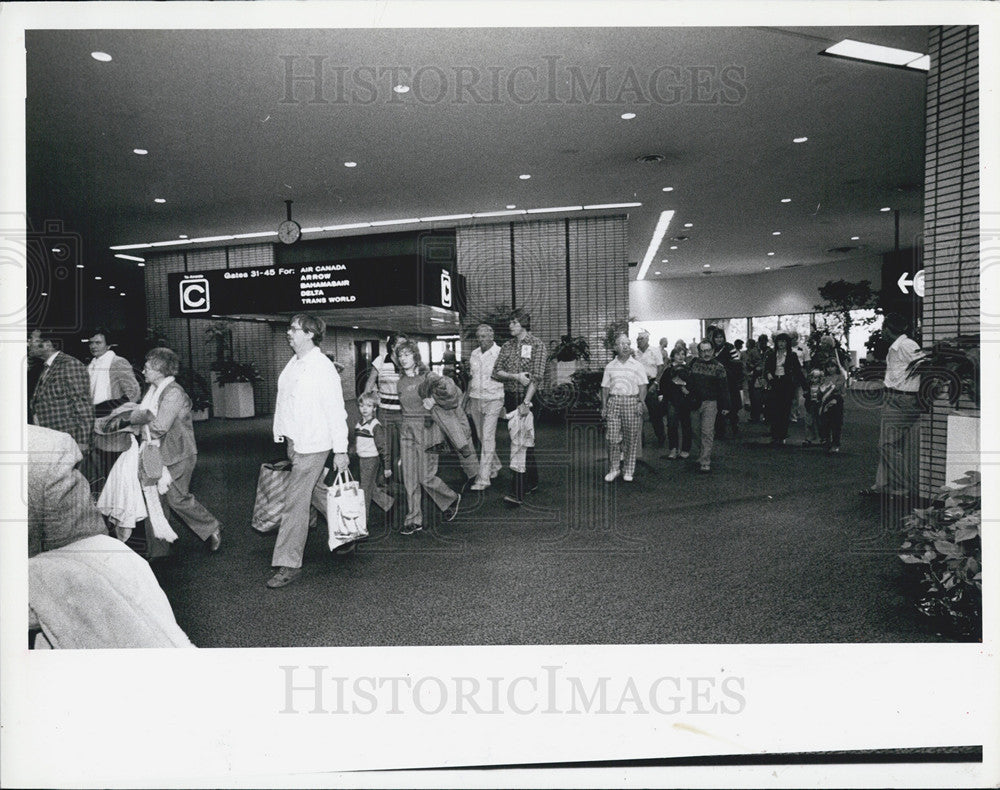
(164, 417)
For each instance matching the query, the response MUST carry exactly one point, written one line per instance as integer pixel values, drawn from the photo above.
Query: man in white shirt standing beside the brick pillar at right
(899, 432)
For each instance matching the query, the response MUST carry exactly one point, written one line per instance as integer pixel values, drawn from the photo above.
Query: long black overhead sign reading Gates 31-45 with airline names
(361, 282)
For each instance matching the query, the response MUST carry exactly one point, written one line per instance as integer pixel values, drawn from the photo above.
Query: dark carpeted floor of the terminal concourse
(773, 546)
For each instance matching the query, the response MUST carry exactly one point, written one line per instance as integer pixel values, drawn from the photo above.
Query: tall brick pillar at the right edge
(951, 214)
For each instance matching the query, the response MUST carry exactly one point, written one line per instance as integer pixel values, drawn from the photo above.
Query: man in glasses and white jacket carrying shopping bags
(311, 419)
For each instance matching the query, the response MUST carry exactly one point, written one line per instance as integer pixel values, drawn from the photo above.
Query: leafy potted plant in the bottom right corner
(944, 542)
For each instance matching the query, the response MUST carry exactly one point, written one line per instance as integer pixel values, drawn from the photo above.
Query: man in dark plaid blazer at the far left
(62, 399)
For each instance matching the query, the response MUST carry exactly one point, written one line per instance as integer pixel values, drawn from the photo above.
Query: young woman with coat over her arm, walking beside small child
(419, 466)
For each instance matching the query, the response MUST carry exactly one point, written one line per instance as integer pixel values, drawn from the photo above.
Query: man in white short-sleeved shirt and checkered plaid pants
(623, 392)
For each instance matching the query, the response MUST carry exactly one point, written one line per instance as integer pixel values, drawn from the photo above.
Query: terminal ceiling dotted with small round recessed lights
(227, 145)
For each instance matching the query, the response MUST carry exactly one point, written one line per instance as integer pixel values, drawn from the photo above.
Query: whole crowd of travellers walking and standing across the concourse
(141, 451)
